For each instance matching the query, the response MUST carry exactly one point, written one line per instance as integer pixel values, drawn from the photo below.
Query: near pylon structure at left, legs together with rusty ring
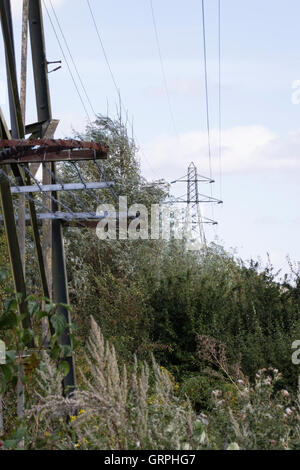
(49, 250)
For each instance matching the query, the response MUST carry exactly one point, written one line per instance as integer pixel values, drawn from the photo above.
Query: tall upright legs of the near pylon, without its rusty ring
(45, 126)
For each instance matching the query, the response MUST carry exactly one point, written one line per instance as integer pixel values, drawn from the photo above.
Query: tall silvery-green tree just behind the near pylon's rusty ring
(104, 272)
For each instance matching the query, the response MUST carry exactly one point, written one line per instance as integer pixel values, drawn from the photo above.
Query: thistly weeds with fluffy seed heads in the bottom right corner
(262, 416)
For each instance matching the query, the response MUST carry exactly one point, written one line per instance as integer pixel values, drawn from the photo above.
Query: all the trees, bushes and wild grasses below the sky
(217, 332)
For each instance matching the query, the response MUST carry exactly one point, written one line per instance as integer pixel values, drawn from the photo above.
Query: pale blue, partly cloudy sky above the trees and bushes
(257, 175)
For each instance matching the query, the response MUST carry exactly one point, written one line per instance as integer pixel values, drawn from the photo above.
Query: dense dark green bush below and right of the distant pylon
(243, 307)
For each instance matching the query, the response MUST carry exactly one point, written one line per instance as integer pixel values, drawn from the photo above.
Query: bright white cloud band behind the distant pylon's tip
(244, 148)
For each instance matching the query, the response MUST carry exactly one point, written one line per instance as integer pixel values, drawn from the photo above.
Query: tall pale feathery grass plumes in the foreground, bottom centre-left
(117, 408)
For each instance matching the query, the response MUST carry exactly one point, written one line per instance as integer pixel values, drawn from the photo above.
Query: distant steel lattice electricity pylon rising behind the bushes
(194, 220)
